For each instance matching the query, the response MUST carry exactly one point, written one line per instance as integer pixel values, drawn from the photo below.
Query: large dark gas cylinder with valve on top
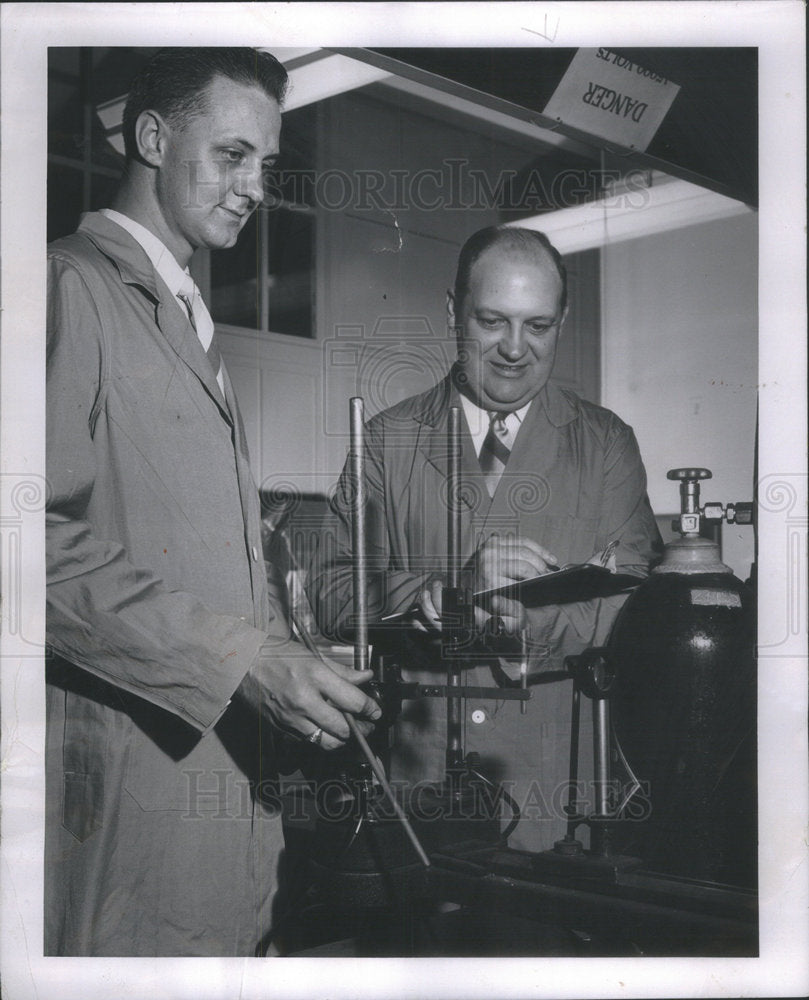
(683, 706)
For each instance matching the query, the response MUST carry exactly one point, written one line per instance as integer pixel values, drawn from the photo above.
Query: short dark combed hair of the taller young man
(174, 80)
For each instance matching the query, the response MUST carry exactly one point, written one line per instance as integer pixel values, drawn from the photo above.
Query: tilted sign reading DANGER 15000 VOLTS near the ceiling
(612, 97)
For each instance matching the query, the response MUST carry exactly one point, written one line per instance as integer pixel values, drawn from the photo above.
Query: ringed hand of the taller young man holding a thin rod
(300, 694)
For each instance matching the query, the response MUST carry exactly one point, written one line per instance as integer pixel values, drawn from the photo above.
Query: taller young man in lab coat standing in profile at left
(170, 669)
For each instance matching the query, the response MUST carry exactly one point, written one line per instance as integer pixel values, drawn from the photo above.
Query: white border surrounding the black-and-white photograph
(778, 30)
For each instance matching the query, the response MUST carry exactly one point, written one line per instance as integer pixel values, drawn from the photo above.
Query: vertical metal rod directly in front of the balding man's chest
(454, 754)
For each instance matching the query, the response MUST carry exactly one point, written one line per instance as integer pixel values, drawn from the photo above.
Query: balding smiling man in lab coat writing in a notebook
(549, 479)
